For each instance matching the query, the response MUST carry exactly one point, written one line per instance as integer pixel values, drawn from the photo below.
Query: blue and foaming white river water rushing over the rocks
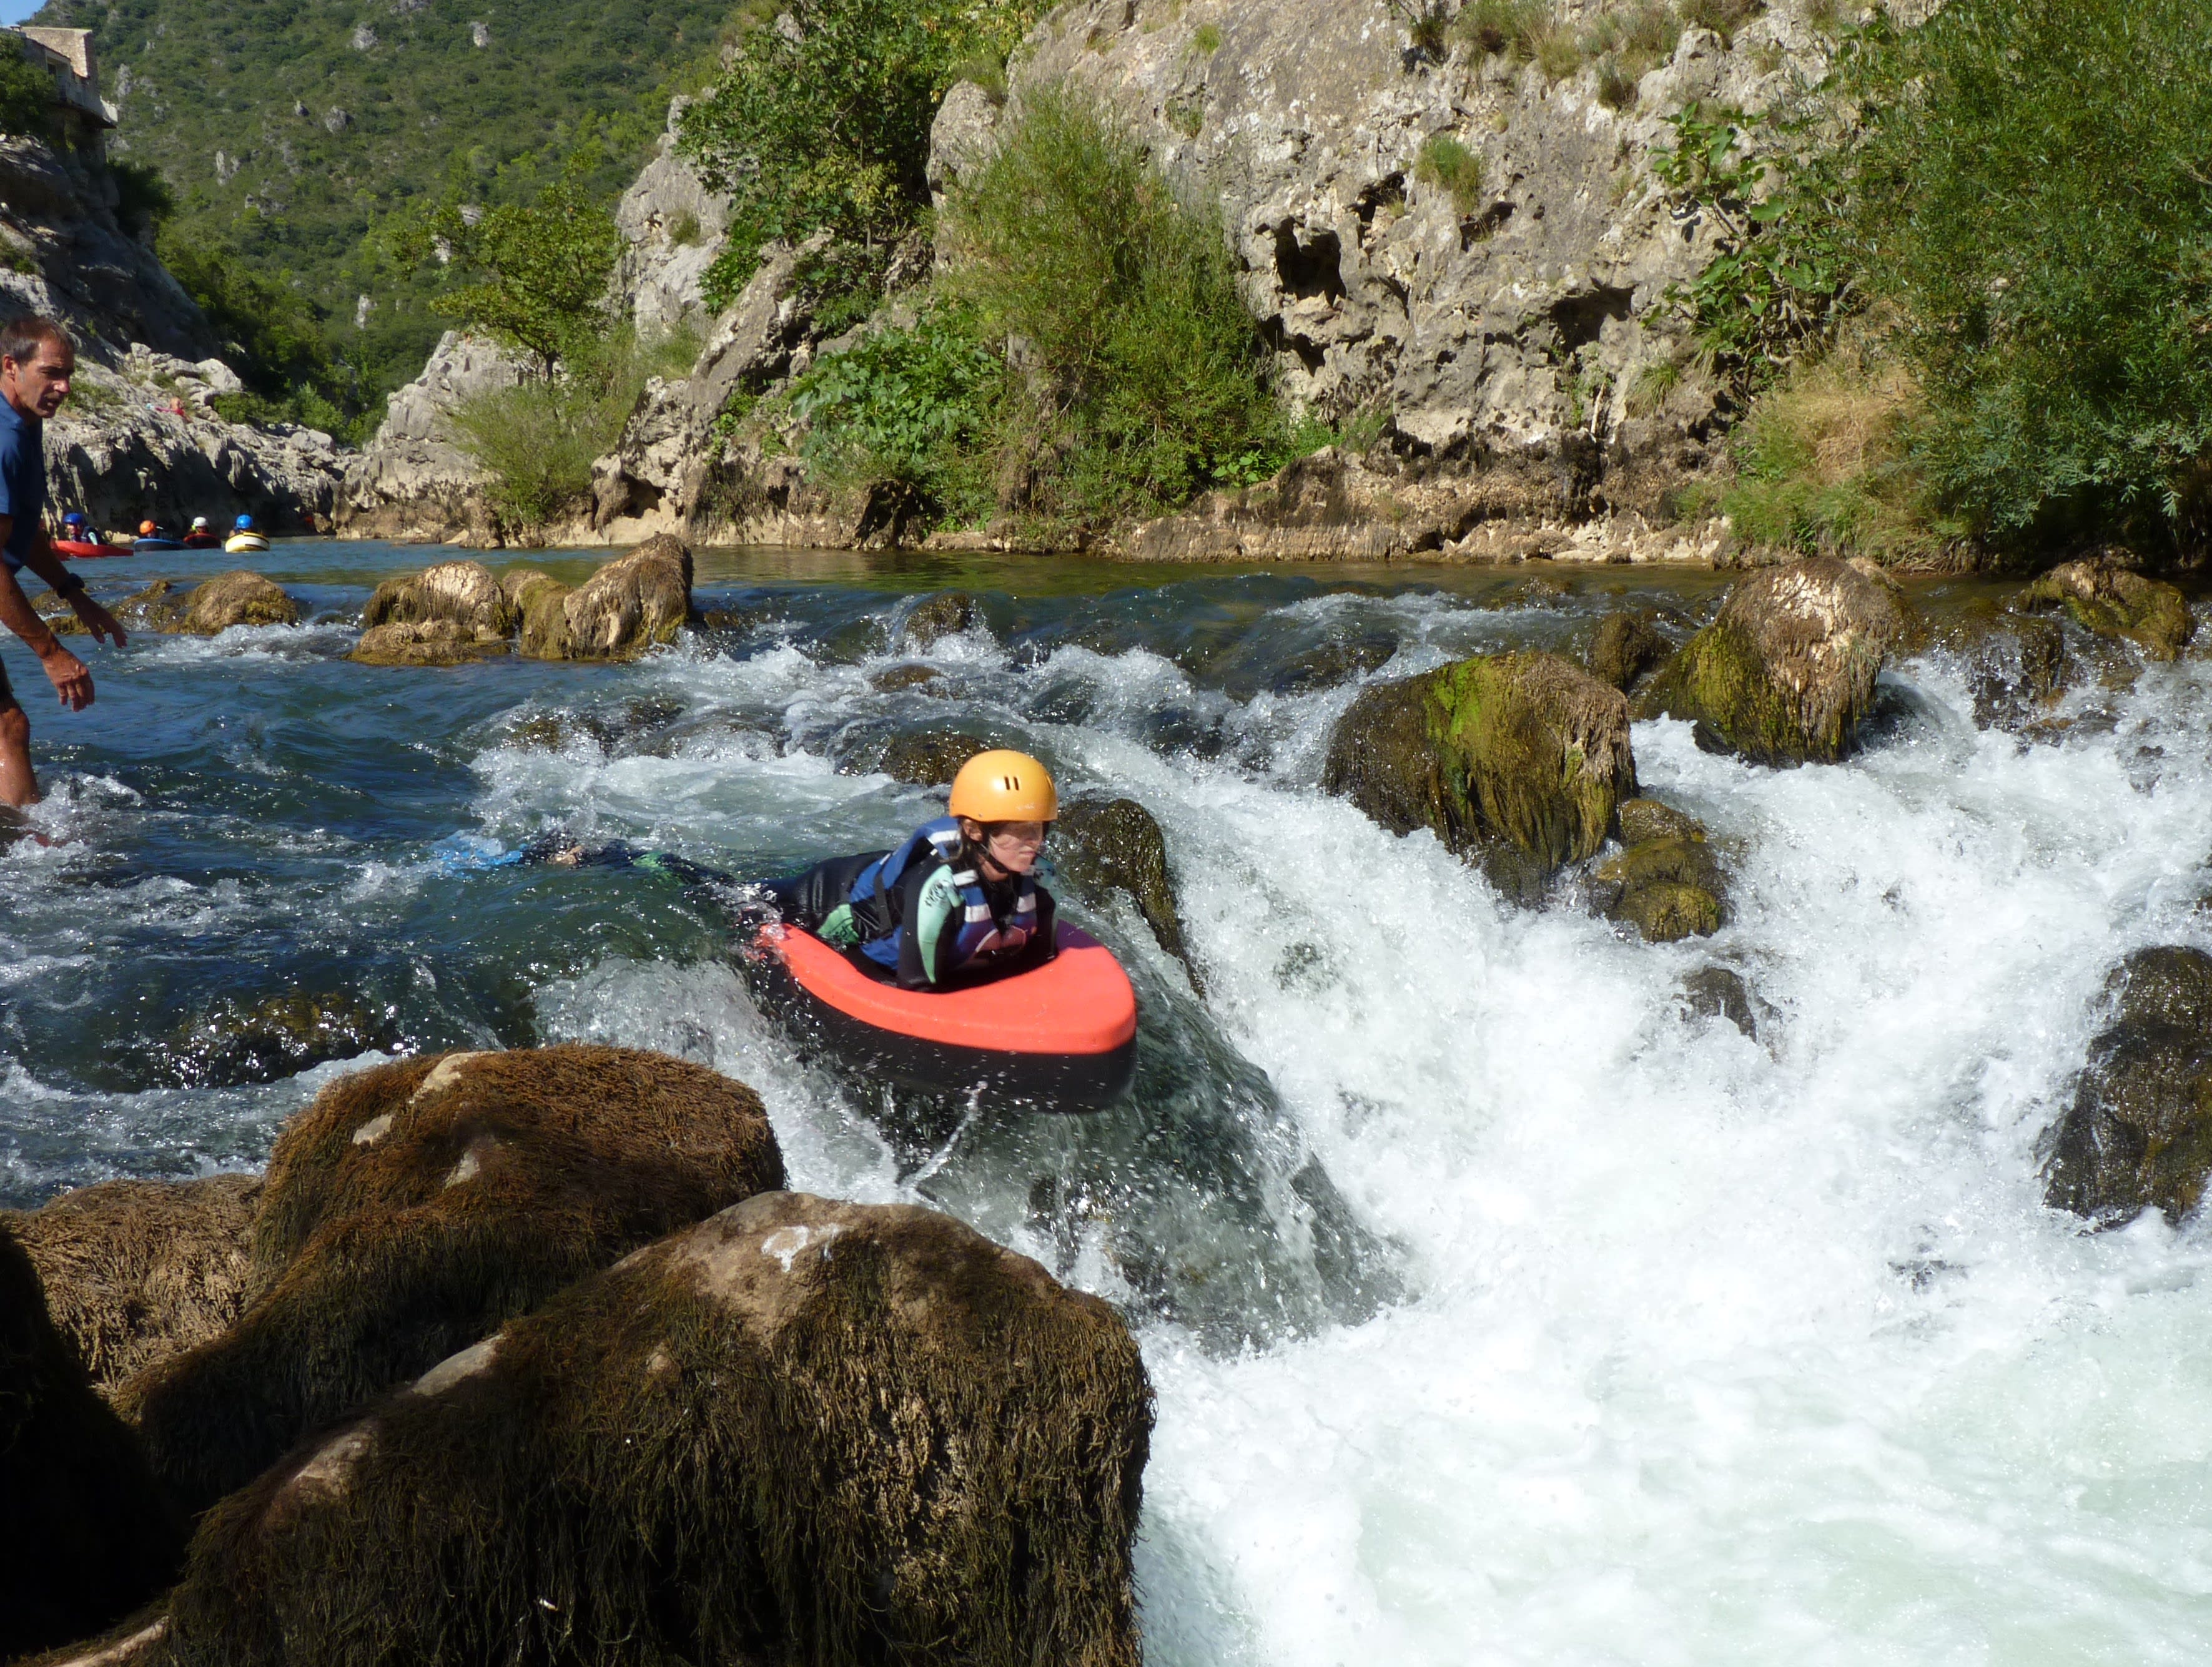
(1501, 1308)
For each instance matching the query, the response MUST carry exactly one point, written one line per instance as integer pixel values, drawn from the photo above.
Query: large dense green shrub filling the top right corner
(2036, 205)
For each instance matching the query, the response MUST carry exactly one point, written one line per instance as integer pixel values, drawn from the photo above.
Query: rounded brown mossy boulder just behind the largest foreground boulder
(419, 1206)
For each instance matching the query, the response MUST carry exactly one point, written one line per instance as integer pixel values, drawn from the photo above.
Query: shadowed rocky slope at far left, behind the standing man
(140, 434)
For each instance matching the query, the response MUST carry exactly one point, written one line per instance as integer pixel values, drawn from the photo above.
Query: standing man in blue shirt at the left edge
(36, 364)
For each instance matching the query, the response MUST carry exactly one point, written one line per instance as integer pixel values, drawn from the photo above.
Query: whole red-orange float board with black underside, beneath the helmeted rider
(1056, 1038)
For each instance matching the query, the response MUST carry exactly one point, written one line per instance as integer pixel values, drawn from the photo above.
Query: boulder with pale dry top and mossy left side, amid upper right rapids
(1786, 673)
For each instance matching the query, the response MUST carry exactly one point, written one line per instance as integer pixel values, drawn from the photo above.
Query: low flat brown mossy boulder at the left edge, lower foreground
(138, 1272)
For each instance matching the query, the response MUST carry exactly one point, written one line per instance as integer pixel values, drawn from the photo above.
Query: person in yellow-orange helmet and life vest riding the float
(959, 899)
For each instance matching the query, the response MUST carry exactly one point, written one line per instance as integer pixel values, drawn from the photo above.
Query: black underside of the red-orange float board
(1027, 1082)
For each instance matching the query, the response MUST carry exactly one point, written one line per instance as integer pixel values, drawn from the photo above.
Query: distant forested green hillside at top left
(291, 136)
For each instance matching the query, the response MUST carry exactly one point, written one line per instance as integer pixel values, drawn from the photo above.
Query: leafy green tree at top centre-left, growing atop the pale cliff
(822, 120)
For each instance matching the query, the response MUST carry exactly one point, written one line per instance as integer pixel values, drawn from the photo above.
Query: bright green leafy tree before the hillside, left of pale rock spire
(536, 273)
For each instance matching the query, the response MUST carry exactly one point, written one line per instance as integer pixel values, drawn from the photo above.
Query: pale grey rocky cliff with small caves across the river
(1514, 348)
